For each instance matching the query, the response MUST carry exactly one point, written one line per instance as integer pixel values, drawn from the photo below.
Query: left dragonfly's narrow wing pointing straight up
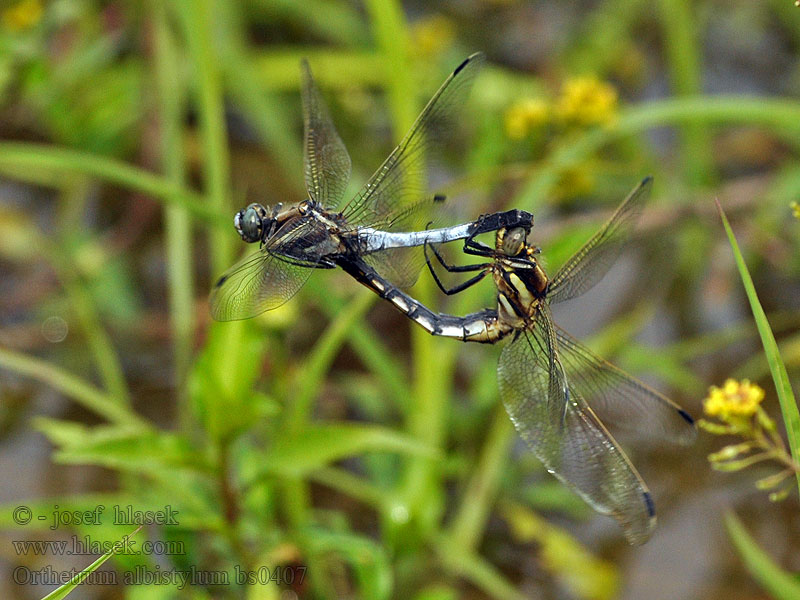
(327, 163)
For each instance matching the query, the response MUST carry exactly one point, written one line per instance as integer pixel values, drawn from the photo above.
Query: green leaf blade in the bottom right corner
(780, 584)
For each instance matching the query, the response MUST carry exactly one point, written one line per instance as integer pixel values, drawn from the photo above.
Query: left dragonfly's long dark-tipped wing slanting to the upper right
(399, 187)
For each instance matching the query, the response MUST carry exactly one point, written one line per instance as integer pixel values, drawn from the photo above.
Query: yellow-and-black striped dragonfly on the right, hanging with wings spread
(559, 394)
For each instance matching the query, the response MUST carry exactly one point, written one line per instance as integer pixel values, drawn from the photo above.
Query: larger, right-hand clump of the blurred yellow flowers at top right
(587, 101)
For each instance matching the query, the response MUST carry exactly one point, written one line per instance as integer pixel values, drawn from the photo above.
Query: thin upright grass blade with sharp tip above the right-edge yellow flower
(791, 416)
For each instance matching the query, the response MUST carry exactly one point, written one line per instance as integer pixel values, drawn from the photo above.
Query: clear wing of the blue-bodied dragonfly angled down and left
(269, 277)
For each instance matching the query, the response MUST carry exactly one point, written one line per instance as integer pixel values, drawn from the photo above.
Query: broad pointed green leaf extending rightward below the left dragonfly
(316, 446)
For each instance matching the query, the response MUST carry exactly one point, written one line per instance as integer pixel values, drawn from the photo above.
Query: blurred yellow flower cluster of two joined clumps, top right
(582, 102)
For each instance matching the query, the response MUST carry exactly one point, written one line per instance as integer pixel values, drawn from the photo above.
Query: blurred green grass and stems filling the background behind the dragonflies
(330, 441)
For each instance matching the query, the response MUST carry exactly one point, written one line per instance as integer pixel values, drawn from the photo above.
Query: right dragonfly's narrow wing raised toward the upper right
(590, 264)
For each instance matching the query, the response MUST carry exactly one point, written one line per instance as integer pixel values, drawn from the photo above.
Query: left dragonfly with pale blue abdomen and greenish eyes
(372, 233)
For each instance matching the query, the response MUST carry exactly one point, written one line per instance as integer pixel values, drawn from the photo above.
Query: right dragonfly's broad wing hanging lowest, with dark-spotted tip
(566, 435)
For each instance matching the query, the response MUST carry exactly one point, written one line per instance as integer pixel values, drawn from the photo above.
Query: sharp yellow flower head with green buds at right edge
(737, 406)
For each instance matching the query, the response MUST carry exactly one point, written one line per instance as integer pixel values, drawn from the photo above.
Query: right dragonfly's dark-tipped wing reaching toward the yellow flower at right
(619, 399)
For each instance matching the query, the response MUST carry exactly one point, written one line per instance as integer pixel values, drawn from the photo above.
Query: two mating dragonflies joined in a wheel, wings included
(557, 392)
